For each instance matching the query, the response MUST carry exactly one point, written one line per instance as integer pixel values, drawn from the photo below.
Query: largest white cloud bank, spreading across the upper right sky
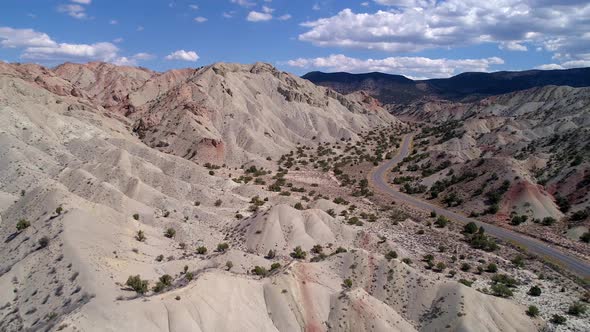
(415, 25)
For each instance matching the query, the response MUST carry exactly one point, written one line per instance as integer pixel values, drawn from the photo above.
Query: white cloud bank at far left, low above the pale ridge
(40, 47)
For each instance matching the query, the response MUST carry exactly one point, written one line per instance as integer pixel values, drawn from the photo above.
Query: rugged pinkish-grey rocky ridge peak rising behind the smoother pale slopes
(223, 113)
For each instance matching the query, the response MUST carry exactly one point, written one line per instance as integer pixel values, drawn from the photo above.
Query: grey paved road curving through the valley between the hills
(576, 265)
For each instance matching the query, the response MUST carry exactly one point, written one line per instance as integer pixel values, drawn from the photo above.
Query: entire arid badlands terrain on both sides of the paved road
(237, 198)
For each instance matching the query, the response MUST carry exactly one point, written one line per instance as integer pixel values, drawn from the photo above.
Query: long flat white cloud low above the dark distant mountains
(415, 67)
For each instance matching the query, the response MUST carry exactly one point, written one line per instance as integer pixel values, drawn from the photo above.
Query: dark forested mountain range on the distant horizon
(398, 89)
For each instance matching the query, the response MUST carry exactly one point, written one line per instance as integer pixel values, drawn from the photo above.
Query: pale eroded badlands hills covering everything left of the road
(112, 172)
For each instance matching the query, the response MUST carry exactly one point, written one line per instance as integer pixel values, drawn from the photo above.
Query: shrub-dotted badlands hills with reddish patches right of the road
(525, 153)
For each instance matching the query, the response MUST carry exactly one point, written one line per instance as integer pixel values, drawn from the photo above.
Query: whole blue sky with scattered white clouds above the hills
(415, 38)
